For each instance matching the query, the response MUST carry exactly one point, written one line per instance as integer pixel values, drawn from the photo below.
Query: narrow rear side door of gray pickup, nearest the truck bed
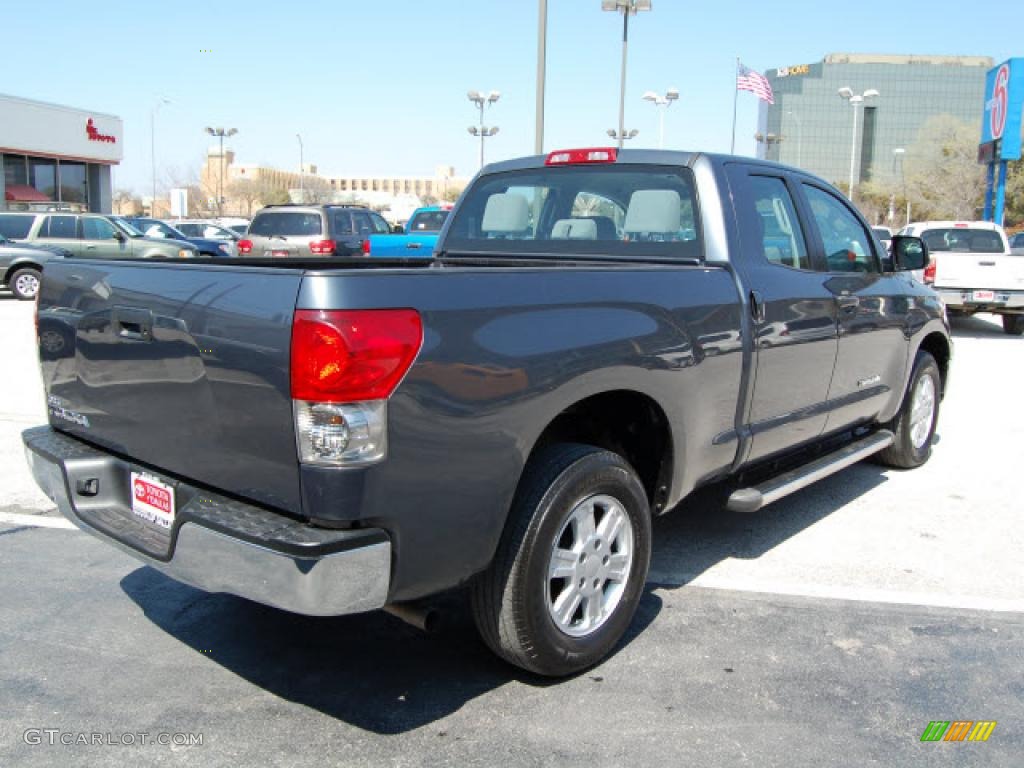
(795, 327)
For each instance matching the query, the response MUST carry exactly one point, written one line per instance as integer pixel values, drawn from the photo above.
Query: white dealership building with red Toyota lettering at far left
(57, 157)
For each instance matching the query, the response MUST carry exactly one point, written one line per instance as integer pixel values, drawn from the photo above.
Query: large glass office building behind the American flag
(812, 126)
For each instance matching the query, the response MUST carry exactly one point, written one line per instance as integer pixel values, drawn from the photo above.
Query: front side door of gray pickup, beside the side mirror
(873, 307)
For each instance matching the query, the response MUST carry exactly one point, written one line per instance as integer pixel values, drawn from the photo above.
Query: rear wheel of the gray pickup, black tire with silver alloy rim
(515, 602)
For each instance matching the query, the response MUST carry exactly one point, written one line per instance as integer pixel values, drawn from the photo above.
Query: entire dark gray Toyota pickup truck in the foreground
(598, 335)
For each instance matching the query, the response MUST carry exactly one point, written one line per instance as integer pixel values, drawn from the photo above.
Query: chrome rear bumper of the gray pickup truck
(217, 544)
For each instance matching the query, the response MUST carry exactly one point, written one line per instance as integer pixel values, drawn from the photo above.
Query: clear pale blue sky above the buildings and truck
(379, 88)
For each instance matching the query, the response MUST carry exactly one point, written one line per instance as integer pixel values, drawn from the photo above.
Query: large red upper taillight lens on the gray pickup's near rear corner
(353, 355)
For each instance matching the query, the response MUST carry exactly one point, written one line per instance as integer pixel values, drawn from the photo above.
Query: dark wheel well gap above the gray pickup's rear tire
(631, 424)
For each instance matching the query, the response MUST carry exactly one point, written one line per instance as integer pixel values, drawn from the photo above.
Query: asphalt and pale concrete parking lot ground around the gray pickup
(829, 630)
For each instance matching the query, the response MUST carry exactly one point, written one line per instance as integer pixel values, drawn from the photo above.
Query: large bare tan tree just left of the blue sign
(945, 180)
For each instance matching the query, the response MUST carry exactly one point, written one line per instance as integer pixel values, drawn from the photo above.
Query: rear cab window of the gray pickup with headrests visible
(612, 210)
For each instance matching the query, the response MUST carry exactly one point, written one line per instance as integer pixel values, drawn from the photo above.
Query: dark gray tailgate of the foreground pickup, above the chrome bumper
(183, 369)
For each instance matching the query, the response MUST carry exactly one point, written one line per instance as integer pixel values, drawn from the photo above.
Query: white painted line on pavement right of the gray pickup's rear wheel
(860, 594)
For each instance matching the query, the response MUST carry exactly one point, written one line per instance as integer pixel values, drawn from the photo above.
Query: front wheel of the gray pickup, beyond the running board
(913, 428)
